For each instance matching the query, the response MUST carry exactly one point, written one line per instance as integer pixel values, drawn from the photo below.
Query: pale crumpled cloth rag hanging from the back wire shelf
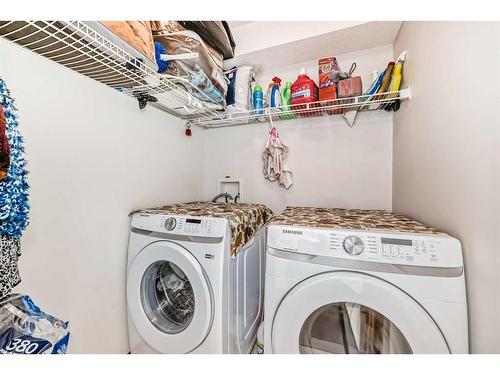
(275, 157)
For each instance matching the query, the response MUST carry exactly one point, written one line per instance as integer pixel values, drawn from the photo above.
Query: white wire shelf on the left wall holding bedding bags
(79, 47)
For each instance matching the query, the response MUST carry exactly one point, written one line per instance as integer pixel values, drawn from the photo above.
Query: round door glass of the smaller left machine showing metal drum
(167, 297)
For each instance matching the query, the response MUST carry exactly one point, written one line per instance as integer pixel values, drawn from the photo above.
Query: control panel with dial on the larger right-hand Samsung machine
(431, 250)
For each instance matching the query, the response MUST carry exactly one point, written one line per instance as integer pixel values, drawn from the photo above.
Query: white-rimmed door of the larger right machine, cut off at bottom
(351, 312)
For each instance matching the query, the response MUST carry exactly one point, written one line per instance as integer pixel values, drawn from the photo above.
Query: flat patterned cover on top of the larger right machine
(350, 219)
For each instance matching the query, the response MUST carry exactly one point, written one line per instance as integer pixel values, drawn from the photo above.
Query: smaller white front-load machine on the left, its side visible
(185, 293)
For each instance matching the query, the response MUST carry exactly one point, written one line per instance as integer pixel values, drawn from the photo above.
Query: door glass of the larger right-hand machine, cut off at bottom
(350, 328)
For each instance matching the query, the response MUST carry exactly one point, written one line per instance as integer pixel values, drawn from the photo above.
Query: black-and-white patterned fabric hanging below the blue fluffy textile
(10, 251)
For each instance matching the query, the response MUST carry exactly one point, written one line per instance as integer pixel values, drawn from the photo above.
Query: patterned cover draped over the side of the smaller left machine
(244, 218)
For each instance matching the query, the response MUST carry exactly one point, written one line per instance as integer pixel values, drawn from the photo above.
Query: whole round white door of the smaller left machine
(169, 298)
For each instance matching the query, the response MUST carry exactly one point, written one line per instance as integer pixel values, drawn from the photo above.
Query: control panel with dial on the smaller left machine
(180, 225)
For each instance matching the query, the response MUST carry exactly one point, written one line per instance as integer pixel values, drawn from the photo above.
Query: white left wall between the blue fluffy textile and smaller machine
(93, 157)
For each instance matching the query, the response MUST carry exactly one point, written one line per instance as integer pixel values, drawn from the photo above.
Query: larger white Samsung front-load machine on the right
(363, 291)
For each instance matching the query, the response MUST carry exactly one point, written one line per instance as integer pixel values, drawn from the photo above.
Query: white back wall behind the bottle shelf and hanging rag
(333, 165)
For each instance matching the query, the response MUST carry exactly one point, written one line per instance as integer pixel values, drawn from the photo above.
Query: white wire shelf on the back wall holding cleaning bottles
(334, 107)
